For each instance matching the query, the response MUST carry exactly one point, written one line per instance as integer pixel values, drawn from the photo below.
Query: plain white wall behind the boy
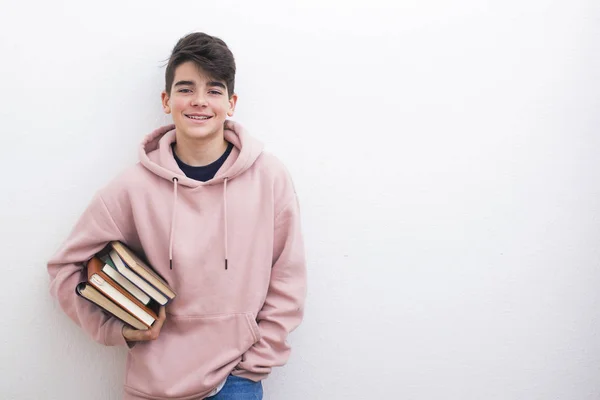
(446, 158)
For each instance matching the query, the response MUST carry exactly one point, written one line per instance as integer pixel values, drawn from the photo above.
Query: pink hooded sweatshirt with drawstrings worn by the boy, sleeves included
(238, 266)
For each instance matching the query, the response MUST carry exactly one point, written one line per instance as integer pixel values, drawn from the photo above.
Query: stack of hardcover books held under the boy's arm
(125, 286)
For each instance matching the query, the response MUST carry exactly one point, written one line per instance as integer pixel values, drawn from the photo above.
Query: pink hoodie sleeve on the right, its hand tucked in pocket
(283, 309)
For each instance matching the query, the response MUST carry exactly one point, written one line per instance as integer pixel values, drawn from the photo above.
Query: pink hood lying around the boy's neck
(156, 155)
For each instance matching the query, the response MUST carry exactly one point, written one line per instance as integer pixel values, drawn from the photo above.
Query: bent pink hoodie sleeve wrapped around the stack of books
(92, 232)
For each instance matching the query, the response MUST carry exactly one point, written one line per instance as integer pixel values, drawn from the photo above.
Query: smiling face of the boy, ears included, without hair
(198, 104)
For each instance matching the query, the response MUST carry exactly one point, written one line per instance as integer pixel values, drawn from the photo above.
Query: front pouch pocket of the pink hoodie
(192, 355)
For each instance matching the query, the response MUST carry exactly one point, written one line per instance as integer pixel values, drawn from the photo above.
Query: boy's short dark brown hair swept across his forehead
(209, 53)
